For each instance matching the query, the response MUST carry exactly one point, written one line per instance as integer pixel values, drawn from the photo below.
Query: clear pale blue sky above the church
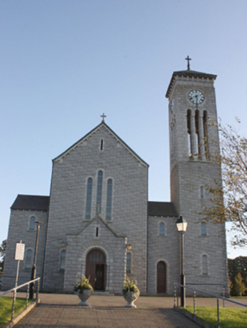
(65, 62)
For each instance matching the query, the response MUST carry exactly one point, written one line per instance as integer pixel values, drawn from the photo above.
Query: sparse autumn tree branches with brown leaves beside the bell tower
(229, 195)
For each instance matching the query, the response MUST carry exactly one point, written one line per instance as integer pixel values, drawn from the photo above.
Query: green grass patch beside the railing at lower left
(6, 308)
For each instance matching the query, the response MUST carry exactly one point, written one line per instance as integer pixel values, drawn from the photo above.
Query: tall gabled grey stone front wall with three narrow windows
(68, 199)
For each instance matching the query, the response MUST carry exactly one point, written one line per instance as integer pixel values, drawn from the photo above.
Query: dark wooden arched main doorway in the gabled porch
(96, 268)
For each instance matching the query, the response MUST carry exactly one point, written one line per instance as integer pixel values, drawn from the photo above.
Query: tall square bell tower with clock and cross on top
(193, 141)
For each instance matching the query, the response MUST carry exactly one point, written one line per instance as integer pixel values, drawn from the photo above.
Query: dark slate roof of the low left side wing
(32, 203)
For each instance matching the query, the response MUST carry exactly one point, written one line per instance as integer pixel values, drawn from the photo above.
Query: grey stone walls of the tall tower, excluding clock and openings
(188, 175)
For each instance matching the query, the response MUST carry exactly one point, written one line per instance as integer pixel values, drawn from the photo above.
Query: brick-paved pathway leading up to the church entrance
(107, 311)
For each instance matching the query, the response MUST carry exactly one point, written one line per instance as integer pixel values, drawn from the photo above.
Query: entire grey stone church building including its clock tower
(98, 221)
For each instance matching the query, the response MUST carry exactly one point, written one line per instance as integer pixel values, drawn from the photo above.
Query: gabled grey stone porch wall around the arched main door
(112, 246)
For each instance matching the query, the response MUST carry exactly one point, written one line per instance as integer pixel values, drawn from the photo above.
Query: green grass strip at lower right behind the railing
(229, 317)
